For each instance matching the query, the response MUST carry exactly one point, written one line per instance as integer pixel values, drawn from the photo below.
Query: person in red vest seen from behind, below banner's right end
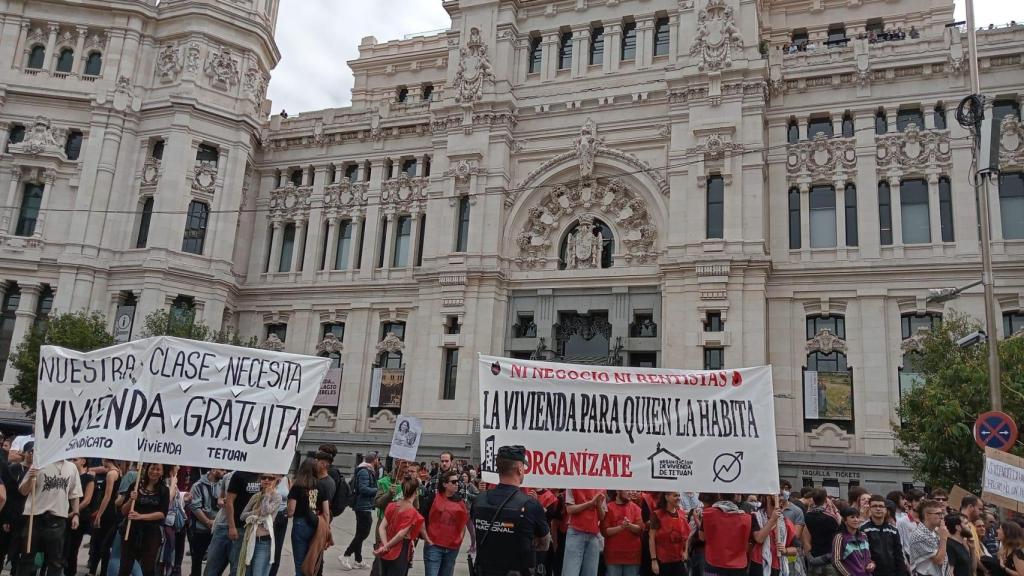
(727, 532)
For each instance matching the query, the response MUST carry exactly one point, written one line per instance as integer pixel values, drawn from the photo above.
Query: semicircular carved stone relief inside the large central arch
(609, 199)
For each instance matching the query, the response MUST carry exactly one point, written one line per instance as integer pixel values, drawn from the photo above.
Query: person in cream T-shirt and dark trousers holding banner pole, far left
(54, 493)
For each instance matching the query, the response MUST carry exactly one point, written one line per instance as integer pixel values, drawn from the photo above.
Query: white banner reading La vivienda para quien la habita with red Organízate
(634, 429)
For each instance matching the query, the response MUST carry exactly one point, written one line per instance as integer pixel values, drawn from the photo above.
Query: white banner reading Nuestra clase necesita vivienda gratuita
(177, 402)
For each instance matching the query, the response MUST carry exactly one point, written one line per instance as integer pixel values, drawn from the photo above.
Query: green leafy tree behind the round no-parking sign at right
(936, 436)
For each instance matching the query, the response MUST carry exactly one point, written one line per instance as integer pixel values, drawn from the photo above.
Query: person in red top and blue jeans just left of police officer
(447, 520)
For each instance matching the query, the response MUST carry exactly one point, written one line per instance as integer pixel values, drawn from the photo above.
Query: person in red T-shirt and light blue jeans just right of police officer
(583, 548)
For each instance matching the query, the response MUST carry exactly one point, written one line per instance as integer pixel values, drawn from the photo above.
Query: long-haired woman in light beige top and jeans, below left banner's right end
(259, 538)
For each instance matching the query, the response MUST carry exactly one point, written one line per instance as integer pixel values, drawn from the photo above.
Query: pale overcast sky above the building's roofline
(318, 38)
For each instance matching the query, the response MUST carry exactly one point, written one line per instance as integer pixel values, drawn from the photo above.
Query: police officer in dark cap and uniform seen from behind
(502, 552)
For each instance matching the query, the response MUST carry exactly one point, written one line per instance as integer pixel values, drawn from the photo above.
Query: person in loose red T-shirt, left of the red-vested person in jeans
(399, 531)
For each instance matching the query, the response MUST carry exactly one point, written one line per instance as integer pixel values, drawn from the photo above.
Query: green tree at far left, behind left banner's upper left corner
(80, 332)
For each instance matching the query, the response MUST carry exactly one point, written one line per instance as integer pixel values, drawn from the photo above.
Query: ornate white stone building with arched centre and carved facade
(653, 183)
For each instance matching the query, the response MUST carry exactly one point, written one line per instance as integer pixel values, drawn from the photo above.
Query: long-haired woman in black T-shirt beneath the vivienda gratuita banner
(147, 508)
